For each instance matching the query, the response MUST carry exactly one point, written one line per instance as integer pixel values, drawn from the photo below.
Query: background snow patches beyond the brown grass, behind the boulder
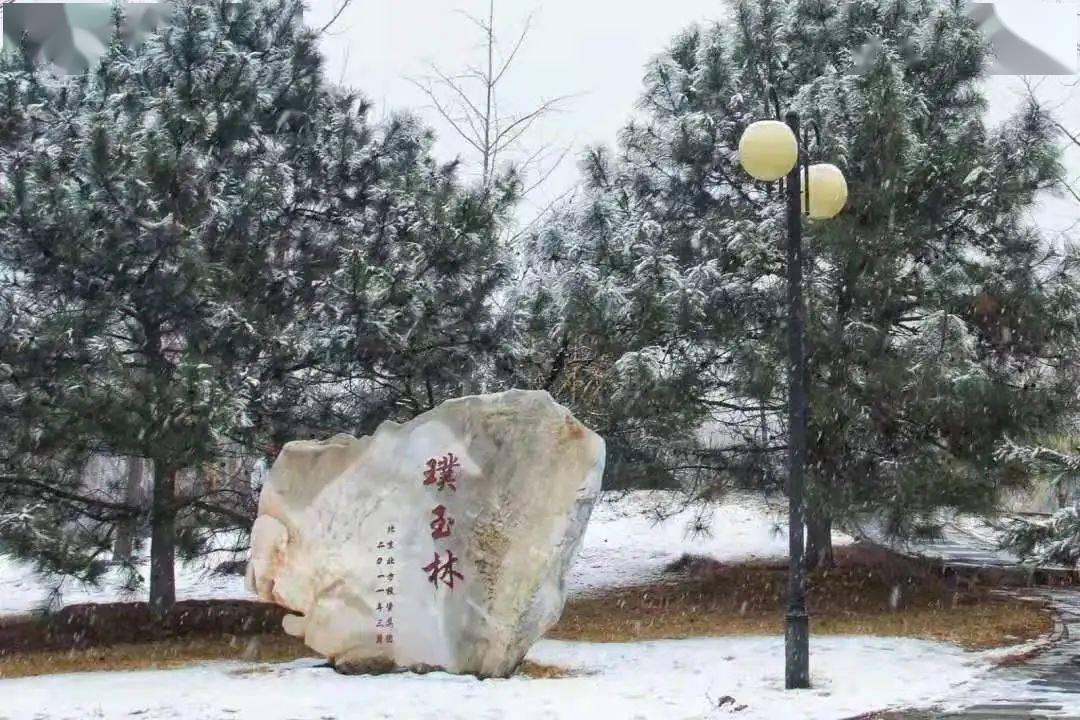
(624, 546)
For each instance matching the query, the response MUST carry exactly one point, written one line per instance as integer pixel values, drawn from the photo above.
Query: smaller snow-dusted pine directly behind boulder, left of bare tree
(404, 318)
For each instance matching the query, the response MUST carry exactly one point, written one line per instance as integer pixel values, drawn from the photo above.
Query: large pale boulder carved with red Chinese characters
(440, 544)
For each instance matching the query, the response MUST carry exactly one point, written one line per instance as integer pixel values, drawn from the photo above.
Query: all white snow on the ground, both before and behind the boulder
(669, 680)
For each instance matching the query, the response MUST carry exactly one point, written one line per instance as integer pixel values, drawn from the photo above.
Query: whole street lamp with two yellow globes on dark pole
(769, 151)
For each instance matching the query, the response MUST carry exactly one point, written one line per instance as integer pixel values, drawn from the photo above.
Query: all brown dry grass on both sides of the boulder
(869, 592)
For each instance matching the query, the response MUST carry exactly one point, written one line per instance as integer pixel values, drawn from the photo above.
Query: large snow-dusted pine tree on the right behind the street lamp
(940, 323)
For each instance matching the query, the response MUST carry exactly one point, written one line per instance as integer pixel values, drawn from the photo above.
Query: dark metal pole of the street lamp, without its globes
(798, 635)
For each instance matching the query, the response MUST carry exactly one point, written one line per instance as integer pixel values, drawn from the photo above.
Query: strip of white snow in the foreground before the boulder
(671, 680)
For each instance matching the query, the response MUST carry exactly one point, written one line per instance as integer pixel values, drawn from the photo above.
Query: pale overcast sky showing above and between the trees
(595, 50)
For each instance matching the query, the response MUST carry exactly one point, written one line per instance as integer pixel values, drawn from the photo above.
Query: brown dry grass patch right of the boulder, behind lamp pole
(869, 592)
